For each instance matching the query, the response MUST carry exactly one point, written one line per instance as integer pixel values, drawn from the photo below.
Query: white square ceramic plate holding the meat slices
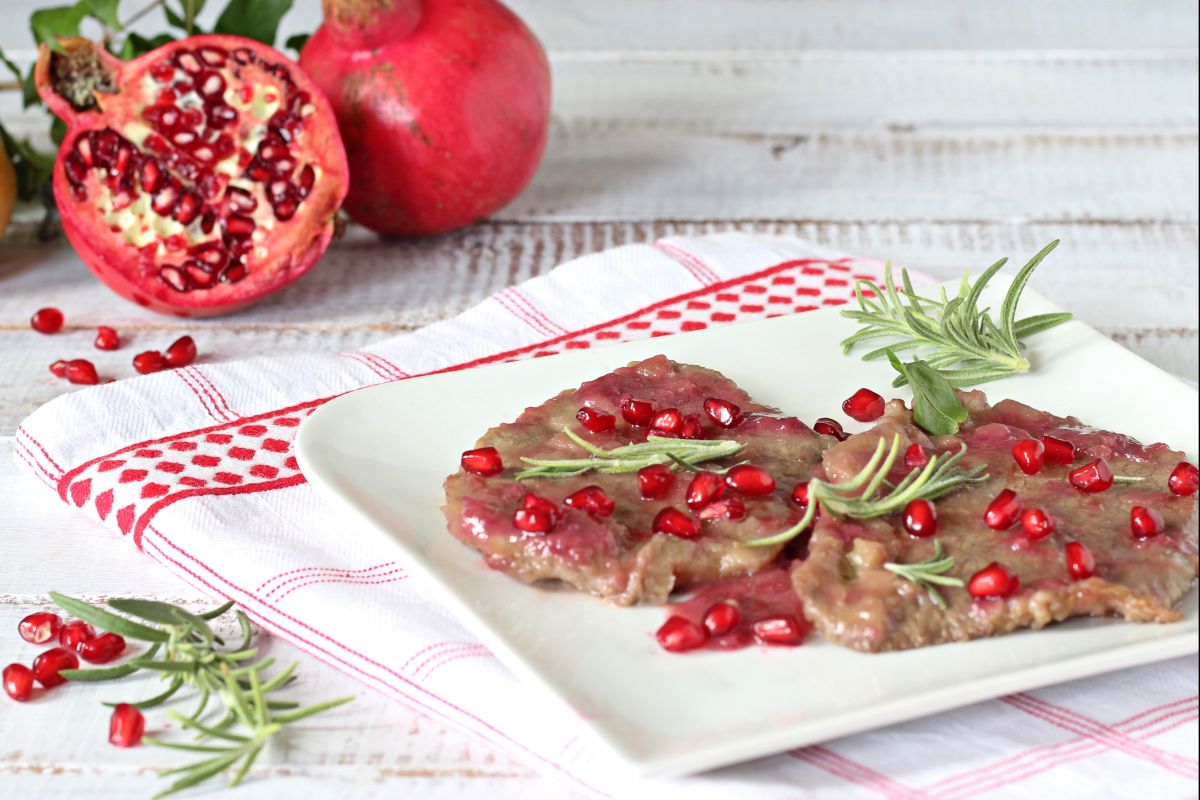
(668, 714)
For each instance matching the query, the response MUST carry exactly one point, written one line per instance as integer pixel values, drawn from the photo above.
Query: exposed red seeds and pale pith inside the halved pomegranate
(202, 171)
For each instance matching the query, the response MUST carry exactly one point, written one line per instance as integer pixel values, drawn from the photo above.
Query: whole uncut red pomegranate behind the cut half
(445, 106)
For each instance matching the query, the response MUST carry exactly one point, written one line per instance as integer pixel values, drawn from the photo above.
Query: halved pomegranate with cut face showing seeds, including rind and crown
(199, 178)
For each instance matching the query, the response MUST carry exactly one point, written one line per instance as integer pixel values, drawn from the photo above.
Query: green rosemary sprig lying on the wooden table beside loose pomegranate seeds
(185, 652)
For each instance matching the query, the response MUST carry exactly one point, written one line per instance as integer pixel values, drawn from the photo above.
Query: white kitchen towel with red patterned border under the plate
(196, 470)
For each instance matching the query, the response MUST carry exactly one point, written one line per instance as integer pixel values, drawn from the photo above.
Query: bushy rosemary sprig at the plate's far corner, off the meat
(952, 335)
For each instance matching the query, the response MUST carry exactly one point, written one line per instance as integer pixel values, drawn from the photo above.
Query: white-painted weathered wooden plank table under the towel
(940, 135)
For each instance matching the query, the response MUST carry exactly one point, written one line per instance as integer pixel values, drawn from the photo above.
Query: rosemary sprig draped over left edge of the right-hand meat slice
(860, 497)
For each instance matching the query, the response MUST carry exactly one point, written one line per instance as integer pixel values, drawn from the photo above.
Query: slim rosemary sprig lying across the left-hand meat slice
(631, 459)
